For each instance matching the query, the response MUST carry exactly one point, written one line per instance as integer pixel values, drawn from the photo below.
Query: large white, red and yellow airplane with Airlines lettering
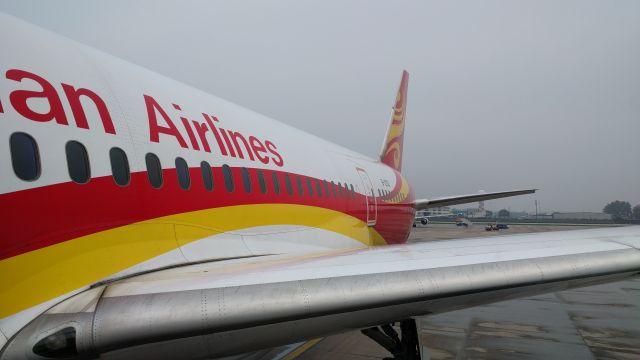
(144, 218)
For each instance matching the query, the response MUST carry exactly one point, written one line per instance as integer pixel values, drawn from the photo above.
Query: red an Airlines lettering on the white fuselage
(202, 135)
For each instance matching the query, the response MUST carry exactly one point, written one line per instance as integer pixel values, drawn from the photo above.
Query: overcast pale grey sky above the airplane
(502, 95)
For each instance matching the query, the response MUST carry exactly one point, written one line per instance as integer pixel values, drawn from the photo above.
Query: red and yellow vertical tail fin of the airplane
(391, 154)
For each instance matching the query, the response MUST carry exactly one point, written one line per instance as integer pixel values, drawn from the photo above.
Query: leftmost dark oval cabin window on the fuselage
(25, 157)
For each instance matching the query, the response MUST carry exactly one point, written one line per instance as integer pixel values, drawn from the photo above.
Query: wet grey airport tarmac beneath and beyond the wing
(598, 322)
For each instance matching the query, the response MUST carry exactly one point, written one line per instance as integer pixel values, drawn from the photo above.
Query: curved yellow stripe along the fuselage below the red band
(37, 276)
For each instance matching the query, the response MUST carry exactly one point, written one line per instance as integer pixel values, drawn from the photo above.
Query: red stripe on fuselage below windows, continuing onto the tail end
(48, 215)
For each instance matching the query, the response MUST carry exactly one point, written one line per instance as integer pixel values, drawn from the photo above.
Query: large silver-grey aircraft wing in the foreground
(235, 306)
